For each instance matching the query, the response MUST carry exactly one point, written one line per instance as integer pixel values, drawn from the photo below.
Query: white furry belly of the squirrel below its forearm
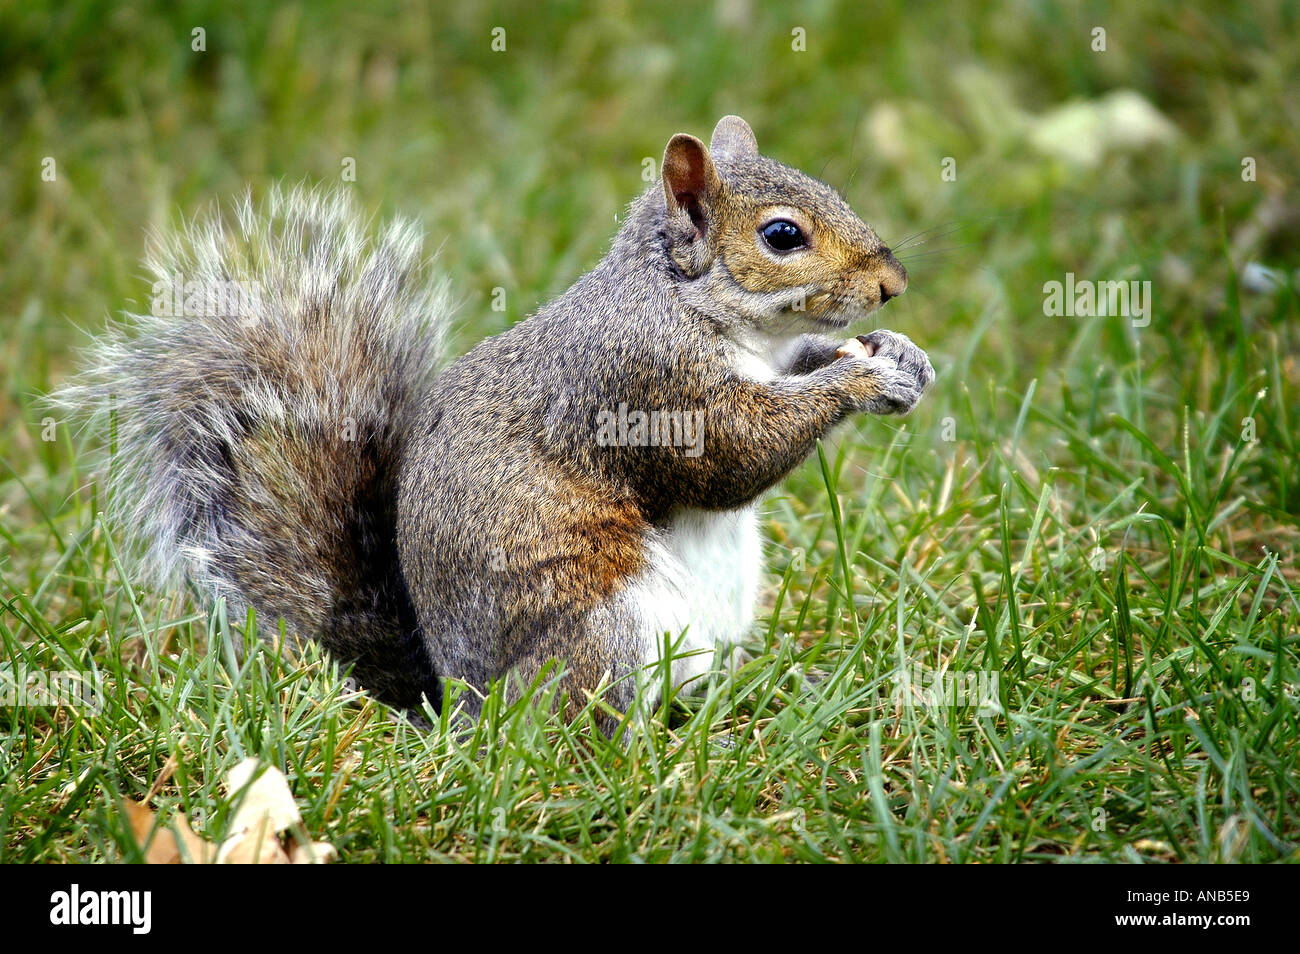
(700, 589)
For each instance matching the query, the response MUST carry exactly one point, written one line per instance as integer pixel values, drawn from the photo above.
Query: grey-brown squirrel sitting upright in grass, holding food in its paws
(580, 487)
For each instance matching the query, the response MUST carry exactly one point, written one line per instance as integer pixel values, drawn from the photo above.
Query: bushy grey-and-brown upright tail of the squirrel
(259, 410)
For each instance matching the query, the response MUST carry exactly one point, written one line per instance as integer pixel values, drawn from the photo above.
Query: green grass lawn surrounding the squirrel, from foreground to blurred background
(1074, 510)
